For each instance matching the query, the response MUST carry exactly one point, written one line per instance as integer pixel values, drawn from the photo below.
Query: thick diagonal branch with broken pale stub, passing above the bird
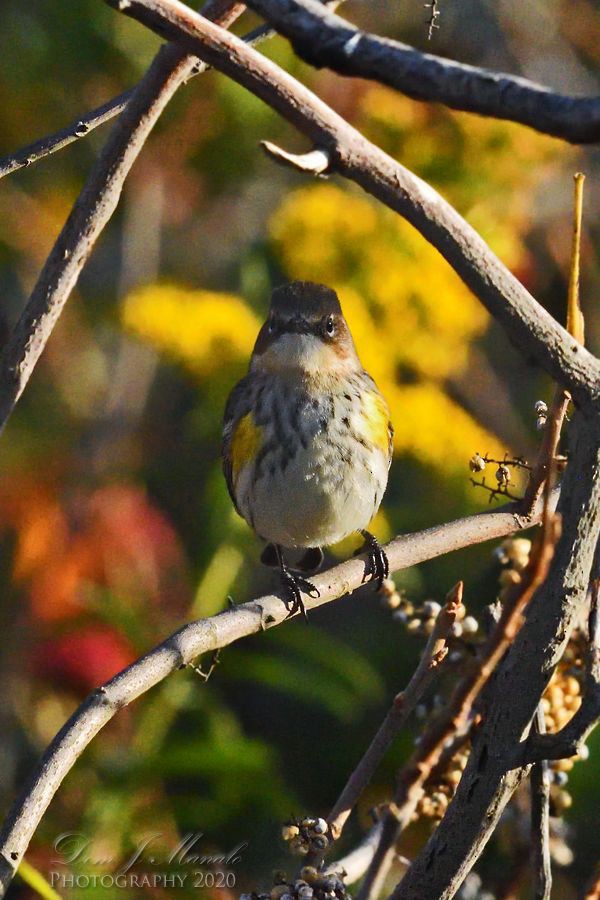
(531, 328)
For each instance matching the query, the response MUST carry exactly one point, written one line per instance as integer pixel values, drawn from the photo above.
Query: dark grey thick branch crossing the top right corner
(326, 40)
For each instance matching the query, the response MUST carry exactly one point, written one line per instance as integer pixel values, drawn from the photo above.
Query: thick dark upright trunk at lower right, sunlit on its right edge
(490, 777)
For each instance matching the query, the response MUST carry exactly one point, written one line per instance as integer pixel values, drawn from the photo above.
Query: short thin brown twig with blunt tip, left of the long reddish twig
(404, 703)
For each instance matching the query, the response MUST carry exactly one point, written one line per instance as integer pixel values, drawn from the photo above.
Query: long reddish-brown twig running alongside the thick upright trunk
(454, 717)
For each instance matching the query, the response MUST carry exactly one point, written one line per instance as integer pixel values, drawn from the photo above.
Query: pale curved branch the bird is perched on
(207, 635)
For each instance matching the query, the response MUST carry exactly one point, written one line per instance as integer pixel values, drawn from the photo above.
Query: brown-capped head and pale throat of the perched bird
(305, 331)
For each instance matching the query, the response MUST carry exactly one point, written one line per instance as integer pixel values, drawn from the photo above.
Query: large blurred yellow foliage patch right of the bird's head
(407, 310)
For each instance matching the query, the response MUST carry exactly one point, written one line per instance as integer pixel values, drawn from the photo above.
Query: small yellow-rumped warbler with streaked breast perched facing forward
(307, 437)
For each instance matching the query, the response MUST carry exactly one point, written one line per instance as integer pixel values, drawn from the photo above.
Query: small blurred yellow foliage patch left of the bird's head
(206, 331)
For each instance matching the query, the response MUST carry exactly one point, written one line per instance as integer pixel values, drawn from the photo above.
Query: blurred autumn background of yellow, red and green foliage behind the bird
(115, 523)
